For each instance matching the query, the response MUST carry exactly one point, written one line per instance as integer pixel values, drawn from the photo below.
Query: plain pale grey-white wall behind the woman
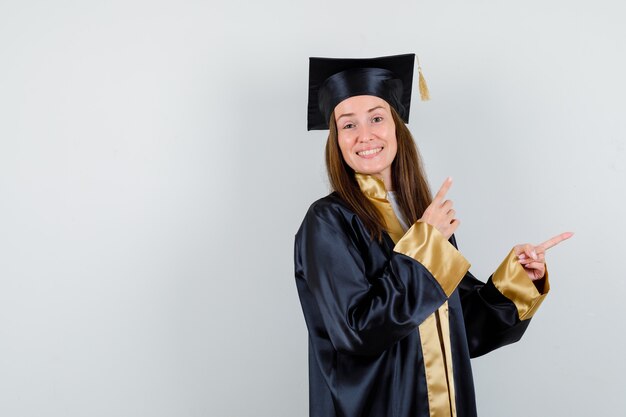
(155, 166)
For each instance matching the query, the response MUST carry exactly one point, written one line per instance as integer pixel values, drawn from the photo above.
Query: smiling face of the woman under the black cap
(367, 135)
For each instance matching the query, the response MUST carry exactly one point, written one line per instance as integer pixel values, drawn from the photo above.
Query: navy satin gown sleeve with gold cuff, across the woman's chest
(365, 309)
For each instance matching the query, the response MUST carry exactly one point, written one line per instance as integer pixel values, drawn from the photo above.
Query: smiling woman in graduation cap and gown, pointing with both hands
(392, 311)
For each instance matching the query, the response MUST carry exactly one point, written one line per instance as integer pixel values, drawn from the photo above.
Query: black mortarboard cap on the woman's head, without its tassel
(332, 80)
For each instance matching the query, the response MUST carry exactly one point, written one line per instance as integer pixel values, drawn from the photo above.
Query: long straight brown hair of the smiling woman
(407, 175)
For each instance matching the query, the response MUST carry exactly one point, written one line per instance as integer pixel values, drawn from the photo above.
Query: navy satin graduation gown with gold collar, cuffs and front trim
(393, 324)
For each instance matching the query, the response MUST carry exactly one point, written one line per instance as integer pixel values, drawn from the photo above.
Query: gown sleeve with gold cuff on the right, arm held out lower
(497, 312)
